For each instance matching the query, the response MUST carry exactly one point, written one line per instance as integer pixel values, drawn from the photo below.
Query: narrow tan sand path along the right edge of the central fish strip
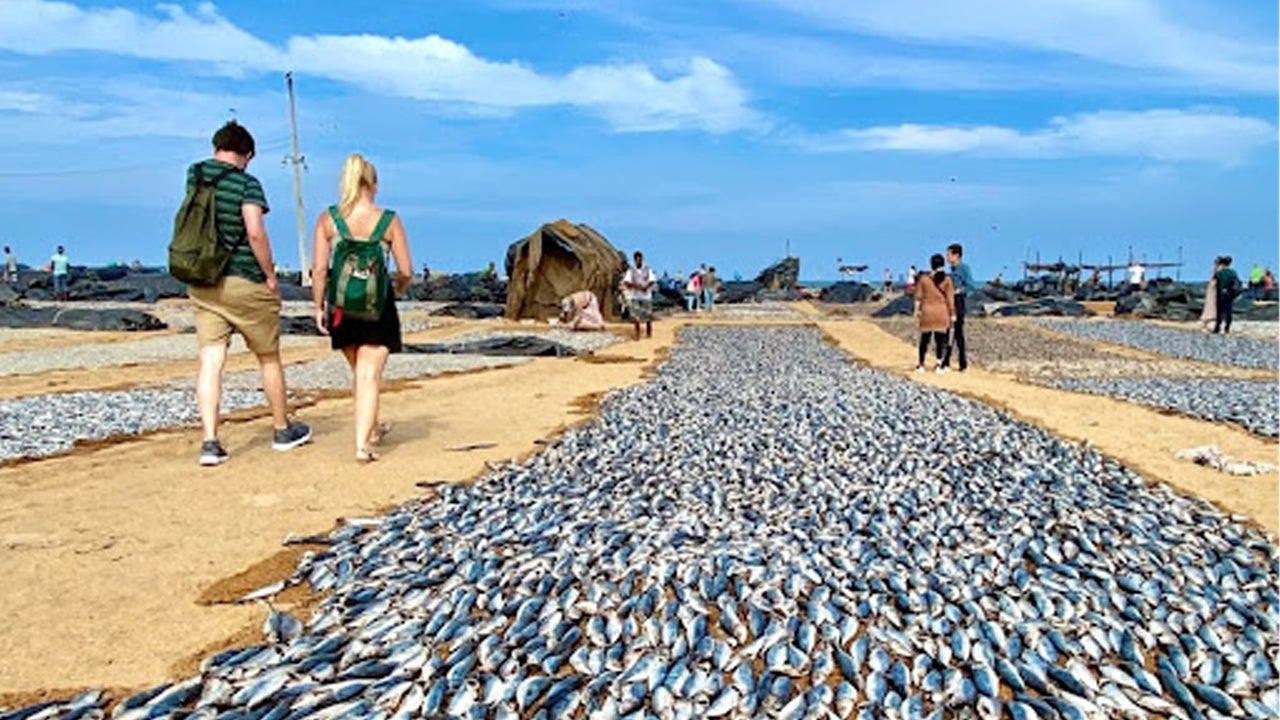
(1142, 439)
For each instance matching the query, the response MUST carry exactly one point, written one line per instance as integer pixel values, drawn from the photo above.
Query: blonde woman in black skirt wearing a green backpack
(354, 293)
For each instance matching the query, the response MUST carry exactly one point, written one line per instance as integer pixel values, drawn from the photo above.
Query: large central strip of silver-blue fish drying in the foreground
(769, 531)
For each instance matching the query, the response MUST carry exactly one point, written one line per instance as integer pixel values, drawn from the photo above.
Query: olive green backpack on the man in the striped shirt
(195, 256)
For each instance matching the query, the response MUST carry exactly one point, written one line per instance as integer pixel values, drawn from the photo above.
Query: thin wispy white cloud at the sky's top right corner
(1130, 34)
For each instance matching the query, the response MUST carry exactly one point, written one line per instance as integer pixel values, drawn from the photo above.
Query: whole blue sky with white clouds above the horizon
(874, 131)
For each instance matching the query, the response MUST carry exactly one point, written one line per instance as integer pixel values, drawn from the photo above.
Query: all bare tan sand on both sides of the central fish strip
(120, 562)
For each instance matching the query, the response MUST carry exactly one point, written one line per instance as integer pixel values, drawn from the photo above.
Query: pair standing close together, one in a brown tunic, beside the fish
(940, 309)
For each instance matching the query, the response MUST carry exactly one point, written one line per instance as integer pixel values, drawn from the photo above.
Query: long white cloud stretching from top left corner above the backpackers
(702, 95)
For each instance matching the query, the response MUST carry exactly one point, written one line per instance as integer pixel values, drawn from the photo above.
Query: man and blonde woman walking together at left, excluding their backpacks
(246, 298)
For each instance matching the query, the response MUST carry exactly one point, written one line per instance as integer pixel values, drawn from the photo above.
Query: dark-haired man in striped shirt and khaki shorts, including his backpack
(222, 252)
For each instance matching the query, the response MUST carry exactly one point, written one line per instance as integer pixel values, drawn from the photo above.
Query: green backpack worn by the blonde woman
(359, 282)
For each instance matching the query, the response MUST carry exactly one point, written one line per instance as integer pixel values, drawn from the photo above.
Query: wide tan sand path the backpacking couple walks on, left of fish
(106, 554)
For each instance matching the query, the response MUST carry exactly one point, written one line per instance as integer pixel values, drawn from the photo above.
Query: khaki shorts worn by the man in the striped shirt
(237, 306)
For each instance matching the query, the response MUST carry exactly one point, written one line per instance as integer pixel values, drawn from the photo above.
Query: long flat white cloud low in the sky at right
(1167, 135)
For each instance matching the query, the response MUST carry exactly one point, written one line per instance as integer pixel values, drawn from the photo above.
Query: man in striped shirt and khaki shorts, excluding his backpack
(246, 300)
